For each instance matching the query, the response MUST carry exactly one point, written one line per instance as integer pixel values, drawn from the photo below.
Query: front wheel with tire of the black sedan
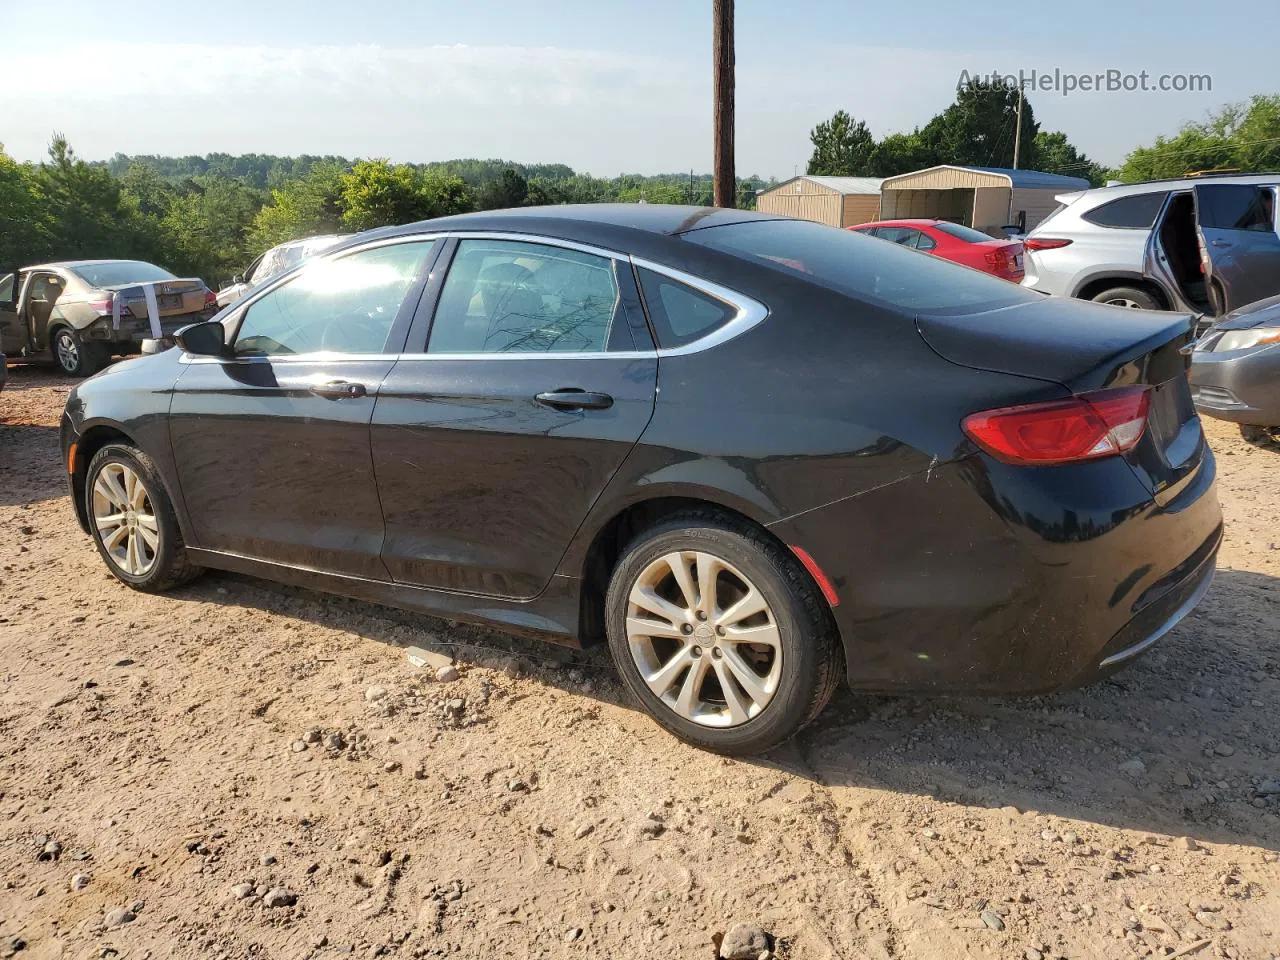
(132, 522)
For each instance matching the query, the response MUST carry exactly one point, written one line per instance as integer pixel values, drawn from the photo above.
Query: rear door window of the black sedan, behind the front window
(518, 298)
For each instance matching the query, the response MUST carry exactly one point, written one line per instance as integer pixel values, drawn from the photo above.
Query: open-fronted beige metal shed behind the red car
(982, 198)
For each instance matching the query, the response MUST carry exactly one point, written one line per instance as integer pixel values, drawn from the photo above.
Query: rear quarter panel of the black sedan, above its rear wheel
(828, 400)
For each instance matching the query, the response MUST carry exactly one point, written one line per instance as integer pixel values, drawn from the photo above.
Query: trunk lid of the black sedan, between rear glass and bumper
(1089, 348)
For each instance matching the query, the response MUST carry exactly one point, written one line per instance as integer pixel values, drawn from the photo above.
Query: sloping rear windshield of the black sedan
(863, 268)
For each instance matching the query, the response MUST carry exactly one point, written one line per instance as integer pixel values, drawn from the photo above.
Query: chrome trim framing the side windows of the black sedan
(749, 313)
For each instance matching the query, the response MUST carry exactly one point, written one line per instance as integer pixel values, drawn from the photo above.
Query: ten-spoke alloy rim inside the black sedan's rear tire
(705, 639)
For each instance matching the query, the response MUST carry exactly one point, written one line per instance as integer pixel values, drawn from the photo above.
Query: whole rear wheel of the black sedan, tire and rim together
(720, 634)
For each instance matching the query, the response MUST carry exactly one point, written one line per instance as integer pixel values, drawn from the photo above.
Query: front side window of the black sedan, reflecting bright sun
(346, 305)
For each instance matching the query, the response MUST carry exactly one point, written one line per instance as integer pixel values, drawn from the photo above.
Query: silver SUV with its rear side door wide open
(1208, 245)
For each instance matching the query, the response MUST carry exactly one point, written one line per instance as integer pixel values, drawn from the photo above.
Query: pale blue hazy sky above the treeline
(606, 88)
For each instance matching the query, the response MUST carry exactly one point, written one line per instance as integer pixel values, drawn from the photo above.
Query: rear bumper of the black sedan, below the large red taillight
(981, 579)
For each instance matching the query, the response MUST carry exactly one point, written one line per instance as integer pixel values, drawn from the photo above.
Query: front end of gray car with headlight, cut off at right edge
(1236, 371)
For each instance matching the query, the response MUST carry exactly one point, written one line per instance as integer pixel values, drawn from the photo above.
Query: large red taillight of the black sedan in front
(1063, 432)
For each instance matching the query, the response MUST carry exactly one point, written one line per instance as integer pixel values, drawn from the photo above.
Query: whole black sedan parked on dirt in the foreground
(756, 455)
